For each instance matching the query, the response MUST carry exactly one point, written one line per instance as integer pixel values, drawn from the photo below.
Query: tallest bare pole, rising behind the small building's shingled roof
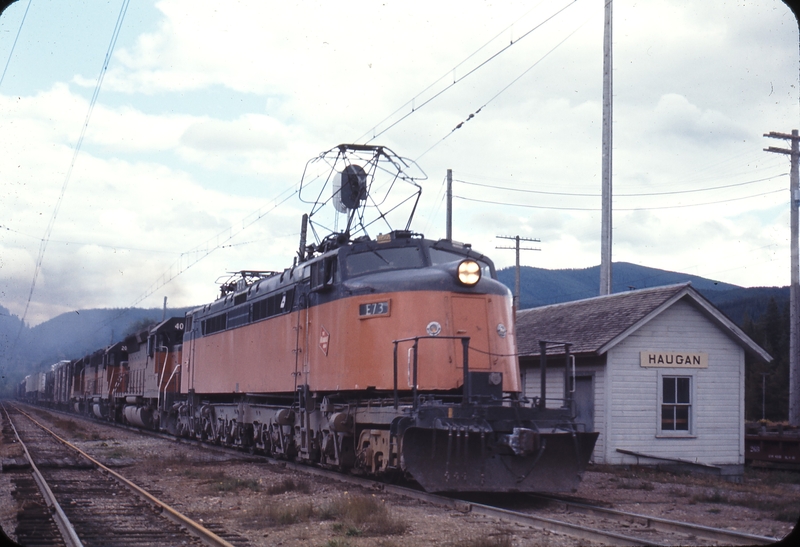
(605, 230)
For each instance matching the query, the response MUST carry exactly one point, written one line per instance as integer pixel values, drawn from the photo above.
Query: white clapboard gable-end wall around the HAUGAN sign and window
(633, 418)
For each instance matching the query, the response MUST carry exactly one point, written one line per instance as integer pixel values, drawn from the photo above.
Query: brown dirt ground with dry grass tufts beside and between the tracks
(267, 504)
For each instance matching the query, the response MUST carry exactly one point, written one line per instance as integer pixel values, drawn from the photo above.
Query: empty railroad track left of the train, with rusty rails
(81, 502)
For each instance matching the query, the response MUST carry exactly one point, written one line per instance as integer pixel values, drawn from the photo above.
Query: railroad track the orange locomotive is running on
(560, 515)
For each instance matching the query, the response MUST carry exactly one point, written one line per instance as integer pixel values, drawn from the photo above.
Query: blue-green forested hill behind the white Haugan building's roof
(540, 287)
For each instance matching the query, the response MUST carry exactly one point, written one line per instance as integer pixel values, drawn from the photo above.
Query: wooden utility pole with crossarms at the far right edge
(794, 289)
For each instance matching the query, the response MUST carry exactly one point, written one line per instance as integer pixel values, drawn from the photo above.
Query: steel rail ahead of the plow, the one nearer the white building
(728, 537)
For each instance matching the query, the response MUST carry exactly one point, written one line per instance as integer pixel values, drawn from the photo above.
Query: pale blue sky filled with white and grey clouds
(208, 112)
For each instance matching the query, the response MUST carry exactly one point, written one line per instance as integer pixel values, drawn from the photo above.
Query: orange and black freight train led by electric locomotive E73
(387, 356)
